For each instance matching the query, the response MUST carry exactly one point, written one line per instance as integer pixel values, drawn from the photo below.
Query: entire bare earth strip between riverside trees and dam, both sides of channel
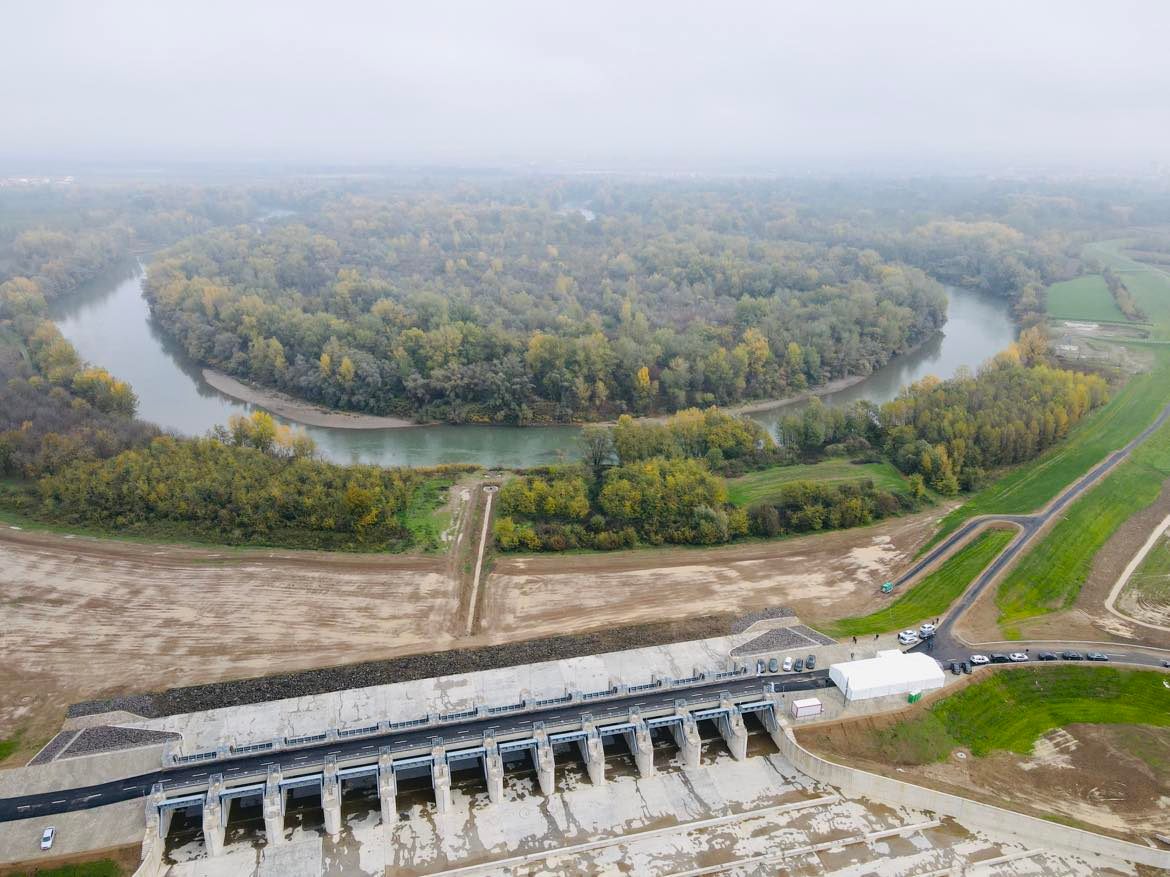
(86, 619)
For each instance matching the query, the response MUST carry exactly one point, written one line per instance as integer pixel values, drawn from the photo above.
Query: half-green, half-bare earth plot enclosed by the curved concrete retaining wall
(1086, 747)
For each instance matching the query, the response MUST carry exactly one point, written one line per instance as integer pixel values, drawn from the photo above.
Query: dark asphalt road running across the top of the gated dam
(453, 737)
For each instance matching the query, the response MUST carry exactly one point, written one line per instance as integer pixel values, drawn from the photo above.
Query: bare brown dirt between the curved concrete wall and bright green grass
(1116, 778)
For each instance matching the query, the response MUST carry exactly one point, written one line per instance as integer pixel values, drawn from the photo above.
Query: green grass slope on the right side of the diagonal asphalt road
(1050, 576)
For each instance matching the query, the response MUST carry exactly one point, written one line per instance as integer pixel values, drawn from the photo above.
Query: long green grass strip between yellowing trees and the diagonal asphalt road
(1033, 486)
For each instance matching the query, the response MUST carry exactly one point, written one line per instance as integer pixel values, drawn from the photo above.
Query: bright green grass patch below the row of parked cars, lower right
(1010, 710)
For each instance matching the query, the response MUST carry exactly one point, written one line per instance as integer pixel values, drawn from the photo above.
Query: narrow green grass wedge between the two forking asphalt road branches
(934, 593)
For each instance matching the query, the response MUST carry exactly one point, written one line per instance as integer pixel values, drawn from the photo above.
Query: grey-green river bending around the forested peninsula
(111, 326)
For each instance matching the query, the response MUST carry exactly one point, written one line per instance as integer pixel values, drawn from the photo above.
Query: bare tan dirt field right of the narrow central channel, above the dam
(822, 578)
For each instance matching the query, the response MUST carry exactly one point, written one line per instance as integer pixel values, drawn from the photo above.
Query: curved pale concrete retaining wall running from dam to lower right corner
(974, 814)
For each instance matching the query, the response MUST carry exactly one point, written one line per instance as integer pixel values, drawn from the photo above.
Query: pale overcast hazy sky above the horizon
(590, 84)
